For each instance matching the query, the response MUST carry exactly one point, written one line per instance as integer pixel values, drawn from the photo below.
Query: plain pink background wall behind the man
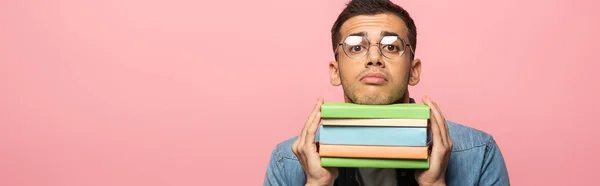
(132, 92)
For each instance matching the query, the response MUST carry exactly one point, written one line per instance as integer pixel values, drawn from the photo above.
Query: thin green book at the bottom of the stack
(374, 163)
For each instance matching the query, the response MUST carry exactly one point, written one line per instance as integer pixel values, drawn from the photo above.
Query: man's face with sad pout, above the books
(374, 78)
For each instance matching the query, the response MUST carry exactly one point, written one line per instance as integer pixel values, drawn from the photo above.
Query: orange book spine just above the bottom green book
(362, 151)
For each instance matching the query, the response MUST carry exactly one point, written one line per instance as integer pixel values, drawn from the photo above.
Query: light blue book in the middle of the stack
(372, 135)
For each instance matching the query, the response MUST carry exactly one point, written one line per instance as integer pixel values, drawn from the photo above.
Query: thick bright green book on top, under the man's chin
(390, 111)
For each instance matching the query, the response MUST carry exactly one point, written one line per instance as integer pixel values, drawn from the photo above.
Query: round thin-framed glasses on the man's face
(357, 47)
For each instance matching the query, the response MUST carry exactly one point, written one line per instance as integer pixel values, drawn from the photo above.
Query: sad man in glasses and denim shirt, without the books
(374, 43)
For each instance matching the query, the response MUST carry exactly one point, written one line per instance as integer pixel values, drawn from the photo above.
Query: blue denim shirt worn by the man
(475, 160)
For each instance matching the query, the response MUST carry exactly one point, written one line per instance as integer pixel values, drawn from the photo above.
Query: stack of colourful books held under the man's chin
(374, 136)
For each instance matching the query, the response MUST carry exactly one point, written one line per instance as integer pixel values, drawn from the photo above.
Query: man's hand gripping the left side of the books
(305, 149)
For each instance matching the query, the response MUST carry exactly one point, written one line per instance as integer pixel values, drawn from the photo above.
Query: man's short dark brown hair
(372, 7)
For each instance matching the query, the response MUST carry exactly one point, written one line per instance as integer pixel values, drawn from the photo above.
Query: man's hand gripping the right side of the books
(440, 152)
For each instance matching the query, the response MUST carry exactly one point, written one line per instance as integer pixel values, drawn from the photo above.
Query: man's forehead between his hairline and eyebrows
(374, 25)
